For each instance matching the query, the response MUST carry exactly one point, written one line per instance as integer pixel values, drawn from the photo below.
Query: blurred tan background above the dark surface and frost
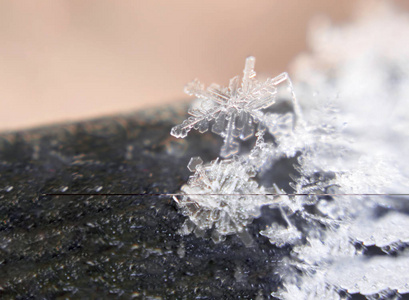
(63, 60)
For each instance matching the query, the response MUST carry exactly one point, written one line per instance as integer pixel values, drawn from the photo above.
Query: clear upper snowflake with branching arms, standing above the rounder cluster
(235, 110)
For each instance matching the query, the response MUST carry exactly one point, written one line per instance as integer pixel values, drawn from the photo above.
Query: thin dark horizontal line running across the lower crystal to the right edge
(181, 194)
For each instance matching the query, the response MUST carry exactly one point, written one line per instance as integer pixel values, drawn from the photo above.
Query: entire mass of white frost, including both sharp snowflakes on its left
(350, 139)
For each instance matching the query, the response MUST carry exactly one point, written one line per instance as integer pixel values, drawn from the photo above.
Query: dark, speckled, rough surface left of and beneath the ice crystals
(112, 246)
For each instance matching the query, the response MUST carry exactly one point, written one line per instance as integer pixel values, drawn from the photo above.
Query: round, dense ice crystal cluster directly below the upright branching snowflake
(221, 195)
